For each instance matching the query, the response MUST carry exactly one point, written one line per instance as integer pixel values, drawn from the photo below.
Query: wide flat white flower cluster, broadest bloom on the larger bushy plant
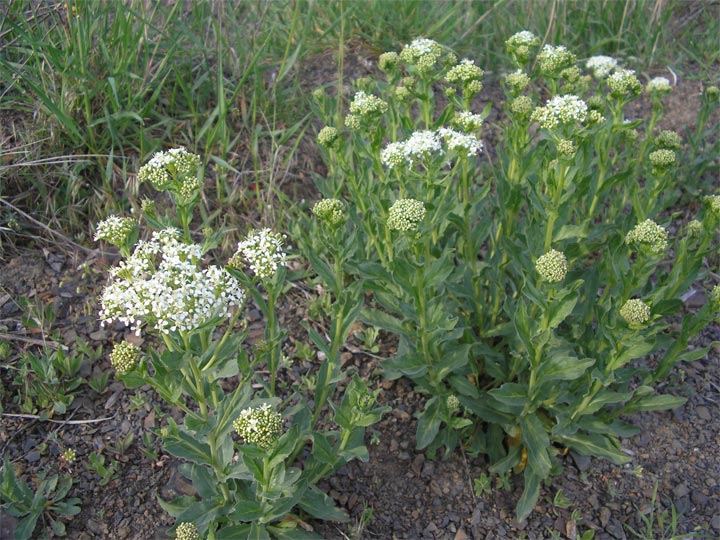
(424, 144)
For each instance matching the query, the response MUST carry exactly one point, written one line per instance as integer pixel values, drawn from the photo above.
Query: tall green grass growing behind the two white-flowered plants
(90, 89)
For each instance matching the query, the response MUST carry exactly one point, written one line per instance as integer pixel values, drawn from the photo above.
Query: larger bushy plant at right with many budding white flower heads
(532, 295)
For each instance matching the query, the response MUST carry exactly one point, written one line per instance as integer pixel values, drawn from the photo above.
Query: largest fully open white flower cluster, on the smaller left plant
(161, 285)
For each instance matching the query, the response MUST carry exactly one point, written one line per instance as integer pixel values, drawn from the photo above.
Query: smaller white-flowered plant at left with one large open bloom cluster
(262, 481)
